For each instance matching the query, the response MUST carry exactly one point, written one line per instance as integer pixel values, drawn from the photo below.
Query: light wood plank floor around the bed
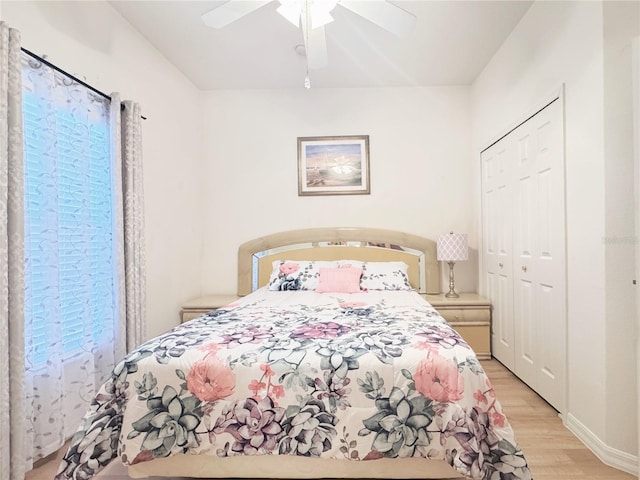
(552, 451)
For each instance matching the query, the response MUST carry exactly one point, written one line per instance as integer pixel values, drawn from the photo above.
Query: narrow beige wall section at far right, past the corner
(621, 23)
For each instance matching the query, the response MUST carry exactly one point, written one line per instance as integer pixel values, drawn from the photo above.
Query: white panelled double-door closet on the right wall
(523, 254)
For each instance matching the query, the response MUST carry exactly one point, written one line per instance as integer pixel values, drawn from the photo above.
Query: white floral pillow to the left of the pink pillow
(297, 274)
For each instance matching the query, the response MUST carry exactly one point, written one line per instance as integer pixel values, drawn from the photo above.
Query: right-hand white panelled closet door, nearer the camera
(539, 262)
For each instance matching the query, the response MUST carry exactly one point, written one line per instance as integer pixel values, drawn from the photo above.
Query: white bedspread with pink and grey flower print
(350, 376)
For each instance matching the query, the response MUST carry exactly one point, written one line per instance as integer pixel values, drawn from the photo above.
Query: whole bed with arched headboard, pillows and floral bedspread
(329, 365)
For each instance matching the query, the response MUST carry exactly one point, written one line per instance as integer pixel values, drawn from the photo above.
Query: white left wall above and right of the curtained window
(91, 41)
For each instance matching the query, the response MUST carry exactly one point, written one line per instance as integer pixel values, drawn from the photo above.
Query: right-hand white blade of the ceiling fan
(384, 14)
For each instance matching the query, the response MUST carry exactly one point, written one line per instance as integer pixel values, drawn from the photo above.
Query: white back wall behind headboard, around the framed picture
(419, 157)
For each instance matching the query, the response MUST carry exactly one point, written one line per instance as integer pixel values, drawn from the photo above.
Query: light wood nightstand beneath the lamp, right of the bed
(470, 316)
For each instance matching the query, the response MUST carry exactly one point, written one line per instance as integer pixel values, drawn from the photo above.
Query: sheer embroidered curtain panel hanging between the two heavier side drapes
(71, 300)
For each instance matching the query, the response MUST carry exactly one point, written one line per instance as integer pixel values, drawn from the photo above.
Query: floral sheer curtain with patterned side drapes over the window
(71, 251)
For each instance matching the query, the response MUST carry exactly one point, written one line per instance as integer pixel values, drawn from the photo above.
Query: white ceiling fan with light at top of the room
(312, 15)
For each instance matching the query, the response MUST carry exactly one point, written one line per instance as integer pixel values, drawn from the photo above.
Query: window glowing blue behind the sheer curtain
(69, 226)
